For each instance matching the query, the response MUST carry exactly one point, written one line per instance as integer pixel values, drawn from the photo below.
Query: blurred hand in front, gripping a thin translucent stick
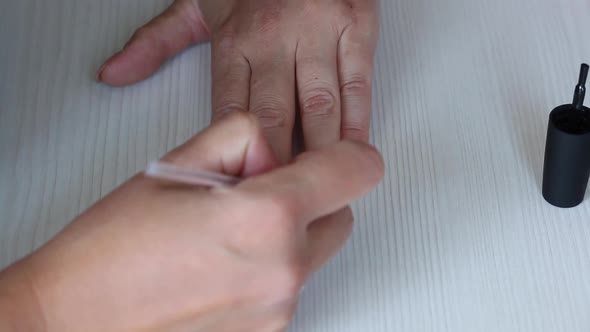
(157, 256)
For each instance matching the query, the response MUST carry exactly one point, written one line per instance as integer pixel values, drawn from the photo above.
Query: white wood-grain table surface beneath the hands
(457, 238)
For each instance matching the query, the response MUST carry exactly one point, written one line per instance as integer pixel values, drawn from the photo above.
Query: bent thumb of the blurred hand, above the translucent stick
(233, 146)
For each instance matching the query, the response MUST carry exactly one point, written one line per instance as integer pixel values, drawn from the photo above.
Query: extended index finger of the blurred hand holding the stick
(320, 182)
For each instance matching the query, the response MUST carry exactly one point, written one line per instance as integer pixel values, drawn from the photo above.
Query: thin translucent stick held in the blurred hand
(196, 177)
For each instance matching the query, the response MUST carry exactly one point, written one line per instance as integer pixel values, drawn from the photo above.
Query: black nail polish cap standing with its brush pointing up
(567, 150)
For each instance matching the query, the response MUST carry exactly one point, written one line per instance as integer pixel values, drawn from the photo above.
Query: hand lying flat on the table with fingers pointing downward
(266, 54)
